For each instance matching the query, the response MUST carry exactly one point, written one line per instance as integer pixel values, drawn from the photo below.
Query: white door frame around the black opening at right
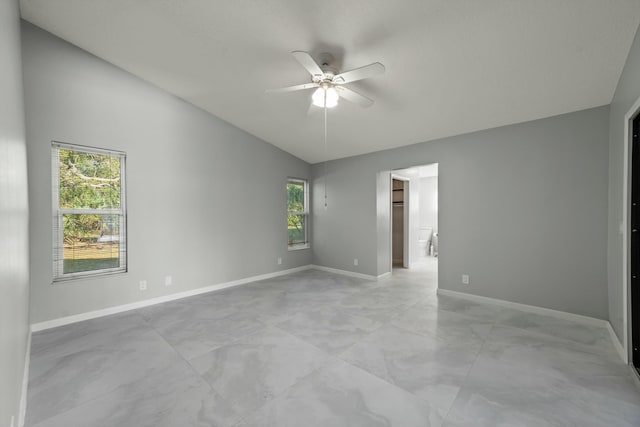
(626, 211)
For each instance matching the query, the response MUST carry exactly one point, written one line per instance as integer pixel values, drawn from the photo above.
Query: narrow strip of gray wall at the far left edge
(14, 218)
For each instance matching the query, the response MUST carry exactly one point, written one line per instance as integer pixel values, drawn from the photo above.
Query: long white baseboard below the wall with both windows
(35, 327)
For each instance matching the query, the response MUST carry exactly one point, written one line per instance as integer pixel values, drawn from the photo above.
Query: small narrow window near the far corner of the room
(297, 213)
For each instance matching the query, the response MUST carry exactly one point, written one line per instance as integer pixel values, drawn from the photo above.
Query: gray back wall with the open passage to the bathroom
(523, 211)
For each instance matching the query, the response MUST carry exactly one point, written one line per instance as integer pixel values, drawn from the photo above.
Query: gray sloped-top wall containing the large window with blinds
(206, 201)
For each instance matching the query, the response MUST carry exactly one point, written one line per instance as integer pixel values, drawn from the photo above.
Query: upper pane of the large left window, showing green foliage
(89, 180)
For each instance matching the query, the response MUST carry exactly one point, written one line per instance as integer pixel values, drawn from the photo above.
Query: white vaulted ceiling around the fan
(453, 66)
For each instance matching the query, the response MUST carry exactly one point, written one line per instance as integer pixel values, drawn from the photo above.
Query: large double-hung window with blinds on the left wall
(89, 216)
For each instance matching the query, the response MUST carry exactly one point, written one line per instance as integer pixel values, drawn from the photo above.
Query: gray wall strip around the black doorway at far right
(627, 92)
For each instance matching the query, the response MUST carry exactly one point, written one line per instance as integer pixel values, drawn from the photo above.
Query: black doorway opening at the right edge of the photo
(635, 242)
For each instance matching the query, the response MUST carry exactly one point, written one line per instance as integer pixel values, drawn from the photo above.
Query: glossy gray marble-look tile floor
(319, 349)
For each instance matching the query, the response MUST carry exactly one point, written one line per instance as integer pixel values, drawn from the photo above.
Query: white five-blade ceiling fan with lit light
(329, 83)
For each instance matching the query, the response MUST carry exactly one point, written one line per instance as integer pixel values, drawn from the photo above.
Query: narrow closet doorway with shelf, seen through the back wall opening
(399, 222)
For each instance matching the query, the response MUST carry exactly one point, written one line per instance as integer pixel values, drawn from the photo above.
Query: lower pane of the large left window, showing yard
(91, 242)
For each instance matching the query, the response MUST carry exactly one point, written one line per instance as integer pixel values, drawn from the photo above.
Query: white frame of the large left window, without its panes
(58, 224)
